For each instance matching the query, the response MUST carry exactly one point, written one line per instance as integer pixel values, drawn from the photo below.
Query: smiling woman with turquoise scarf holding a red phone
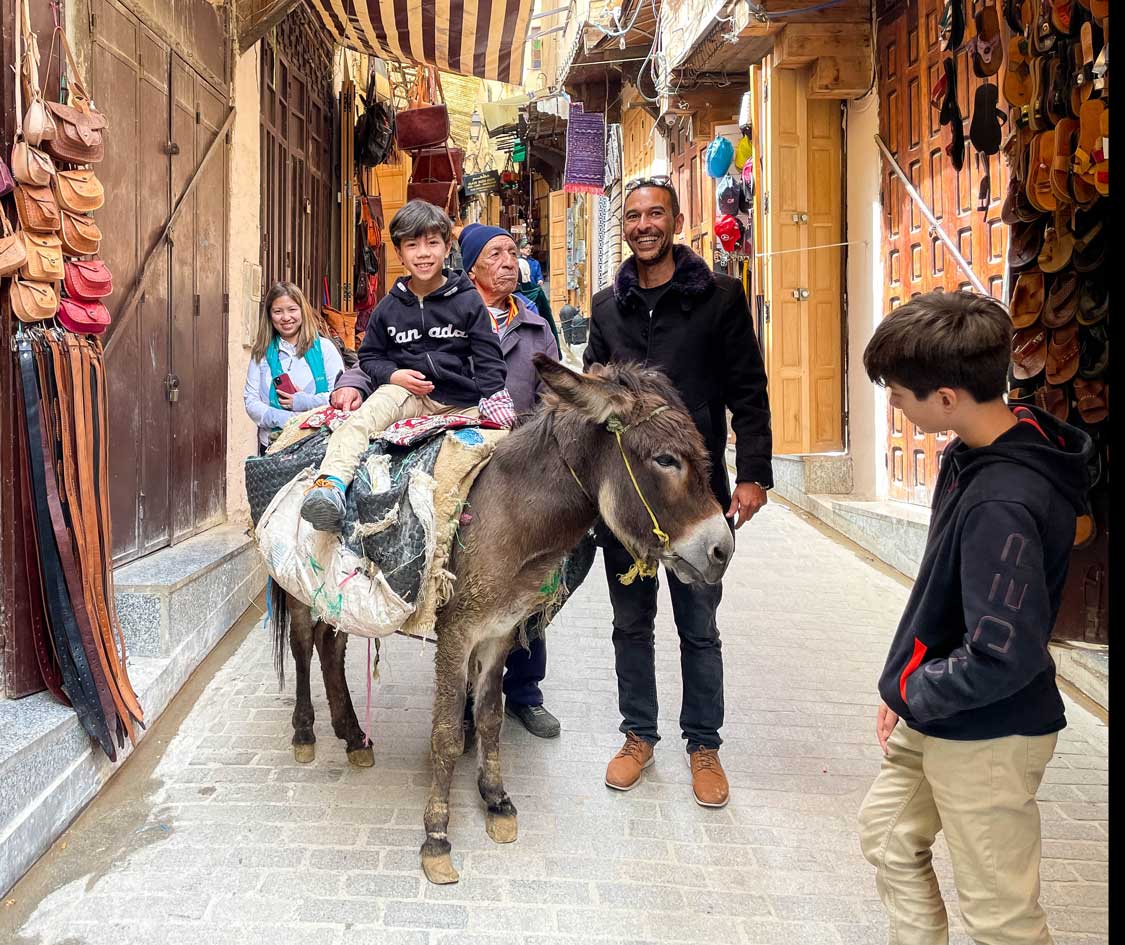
(293, 367)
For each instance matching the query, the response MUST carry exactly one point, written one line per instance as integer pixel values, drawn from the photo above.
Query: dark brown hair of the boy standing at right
(960, 340)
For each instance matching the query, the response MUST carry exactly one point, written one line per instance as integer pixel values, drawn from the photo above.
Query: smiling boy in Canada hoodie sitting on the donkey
(430, 348)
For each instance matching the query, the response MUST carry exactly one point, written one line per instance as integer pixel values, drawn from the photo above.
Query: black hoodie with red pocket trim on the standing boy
(970, 659)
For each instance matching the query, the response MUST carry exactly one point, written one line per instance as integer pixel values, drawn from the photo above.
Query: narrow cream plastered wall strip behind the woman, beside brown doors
(245, 275)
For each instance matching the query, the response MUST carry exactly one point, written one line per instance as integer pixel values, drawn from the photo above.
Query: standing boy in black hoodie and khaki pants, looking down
(969, 674)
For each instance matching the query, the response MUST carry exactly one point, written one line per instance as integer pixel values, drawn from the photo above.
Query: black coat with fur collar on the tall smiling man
(700, 335)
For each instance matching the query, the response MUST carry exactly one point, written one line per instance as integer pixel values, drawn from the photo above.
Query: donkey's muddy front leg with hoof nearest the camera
(447, 743)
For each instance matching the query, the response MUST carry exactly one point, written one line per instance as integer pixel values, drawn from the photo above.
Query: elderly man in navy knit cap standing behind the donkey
(491, 260)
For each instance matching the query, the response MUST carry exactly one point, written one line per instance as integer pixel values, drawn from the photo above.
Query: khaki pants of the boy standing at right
(983, 796)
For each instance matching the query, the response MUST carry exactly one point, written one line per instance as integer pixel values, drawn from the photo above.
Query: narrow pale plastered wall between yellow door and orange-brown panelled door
(867, 402)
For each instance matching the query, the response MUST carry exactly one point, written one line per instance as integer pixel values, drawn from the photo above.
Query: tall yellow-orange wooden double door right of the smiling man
(803, 212)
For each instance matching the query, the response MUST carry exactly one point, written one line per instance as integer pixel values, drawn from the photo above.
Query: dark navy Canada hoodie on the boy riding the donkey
(447, 337)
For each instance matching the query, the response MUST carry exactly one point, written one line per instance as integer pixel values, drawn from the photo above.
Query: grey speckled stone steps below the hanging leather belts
(176, 606)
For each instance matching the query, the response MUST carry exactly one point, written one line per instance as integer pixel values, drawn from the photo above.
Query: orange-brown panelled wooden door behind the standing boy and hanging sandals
(915, 262)
